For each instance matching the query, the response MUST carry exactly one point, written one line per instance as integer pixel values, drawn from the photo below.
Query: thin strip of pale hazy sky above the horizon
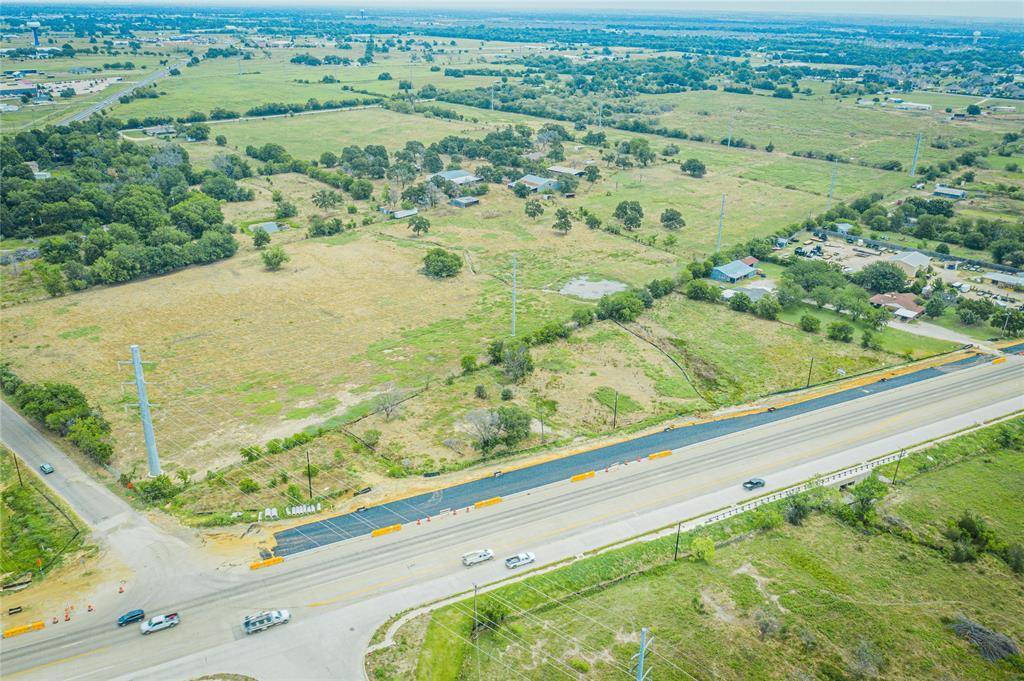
(1010, 10)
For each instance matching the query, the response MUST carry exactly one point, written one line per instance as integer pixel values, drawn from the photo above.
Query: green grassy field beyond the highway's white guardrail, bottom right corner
(823, 601)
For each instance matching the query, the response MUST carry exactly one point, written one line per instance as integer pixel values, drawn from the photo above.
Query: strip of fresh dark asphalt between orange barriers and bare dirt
(357, 524)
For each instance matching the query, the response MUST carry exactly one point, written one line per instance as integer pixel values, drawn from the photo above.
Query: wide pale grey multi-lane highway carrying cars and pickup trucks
(342, 593)
